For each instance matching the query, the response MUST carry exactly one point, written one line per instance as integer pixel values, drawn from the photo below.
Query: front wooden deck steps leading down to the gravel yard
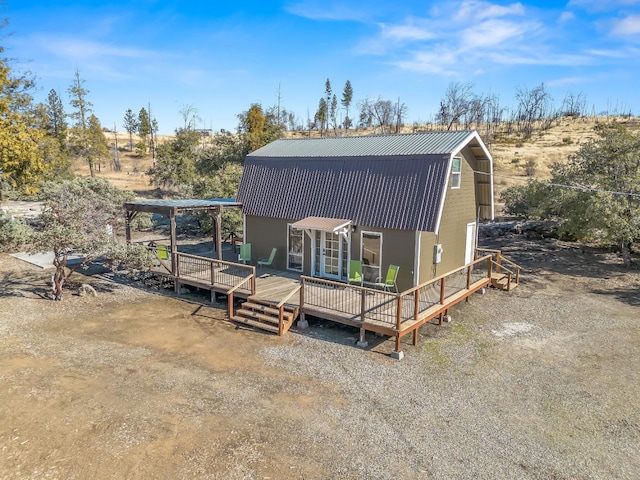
(265, 315)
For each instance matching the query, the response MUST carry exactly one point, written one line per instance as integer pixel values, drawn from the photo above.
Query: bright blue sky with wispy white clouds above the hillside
(220, 57)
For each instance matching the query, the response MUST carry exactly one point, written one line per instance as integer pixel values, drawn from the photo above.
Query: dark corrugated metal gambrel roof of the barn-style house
(385, 181)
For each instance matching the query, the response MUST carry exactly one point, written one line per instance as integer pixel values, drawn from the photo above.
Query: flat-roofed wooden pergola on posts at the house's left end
(172, 208)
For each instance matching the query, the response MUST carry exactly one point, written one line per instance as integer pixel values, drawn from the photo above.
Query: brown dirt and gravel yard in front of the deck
(135, 383)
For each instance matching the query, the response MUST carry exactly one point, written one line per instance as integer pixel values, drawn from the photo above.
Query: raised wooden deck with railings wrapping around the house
(393, 314)
